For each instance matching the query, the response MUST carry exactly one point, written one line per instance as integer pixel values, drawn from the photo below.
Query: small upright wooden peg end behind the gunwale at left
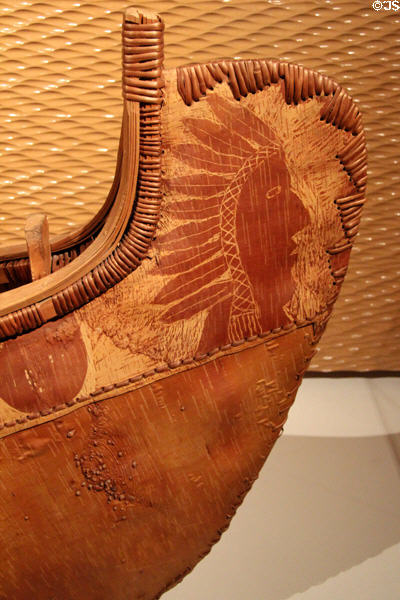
(37, 240)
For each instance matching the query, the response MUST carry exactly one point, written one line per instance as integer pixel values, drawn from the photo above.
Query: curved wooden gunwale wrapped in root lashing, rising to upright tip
(112, 255)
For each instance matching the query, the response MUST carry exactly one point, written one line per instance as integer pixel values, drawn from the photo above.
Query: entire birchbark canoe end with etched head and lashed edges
(133, 424)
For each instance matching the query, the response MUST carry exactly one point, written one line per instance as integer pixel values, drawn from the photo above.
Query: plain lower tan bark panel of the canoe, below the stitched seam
(121, 499)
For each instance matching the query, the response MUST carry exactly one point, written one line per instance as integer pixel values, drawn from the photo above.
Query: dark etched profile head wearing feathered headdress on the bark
(237, 187)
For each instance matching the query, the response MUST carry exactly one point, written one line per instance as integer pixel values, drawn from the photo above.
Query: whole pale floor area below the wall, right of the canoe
(323, 520)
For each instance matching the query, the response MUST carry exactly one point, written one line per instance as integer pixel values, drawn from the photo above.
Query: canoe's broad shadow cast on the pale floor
(320, 507)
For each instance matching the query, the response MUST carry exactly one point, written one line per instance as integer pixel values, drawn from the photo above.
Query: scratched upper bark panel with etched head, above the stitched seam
(261, 202)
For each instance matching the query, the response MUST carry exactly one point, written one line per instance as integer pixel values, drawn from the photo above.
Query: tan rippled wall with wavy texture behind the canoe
(60, 112)
